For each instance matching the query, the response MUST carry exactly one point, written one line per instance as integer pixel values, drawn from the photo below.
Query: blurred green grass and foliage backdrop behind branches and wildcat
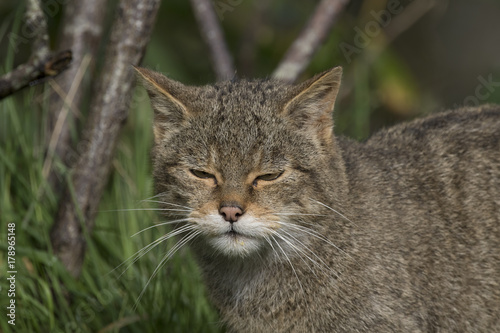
(429, 56)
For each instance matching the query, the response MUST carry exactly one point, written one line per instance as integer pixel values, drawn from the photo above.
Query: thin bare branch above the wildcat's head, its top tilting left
(214, 38)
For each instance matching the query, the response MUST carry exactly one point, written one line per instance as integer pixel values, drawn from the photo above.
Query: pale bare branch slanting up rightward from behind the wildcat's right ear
(312, 36)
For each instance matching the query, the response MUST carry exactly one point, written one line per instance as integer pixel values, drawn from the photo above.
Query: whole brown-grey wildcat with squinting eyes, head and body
(297, 230)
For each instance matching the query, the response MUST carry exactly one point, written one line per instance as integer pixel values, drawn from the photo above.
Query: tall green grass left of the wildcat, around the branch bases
(101, 301)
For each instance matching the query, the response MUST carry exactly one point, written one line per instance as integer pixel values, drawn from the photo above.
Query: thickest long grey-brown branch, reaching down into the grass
(109, 108)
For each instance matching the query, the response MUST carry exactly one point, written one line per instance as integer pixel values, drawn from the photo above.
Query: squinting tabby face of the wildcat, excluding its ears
(234, 180)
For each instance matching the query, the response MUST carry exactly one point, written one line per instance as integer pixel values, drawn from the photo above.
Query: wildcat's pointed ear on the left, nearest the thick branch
(169, 112)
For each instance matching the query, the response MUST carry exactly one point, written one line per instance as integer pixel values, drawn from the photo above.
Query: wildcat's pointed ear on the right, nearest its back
(311, 109)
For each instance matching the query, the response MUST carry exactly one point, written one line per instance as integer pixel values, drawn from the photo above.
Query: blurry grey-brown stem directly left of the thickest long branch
(82, 31)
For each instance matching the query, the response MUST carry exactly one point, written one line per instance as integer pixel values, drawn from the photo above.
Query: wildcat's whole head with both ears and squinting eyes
(239, 160)
